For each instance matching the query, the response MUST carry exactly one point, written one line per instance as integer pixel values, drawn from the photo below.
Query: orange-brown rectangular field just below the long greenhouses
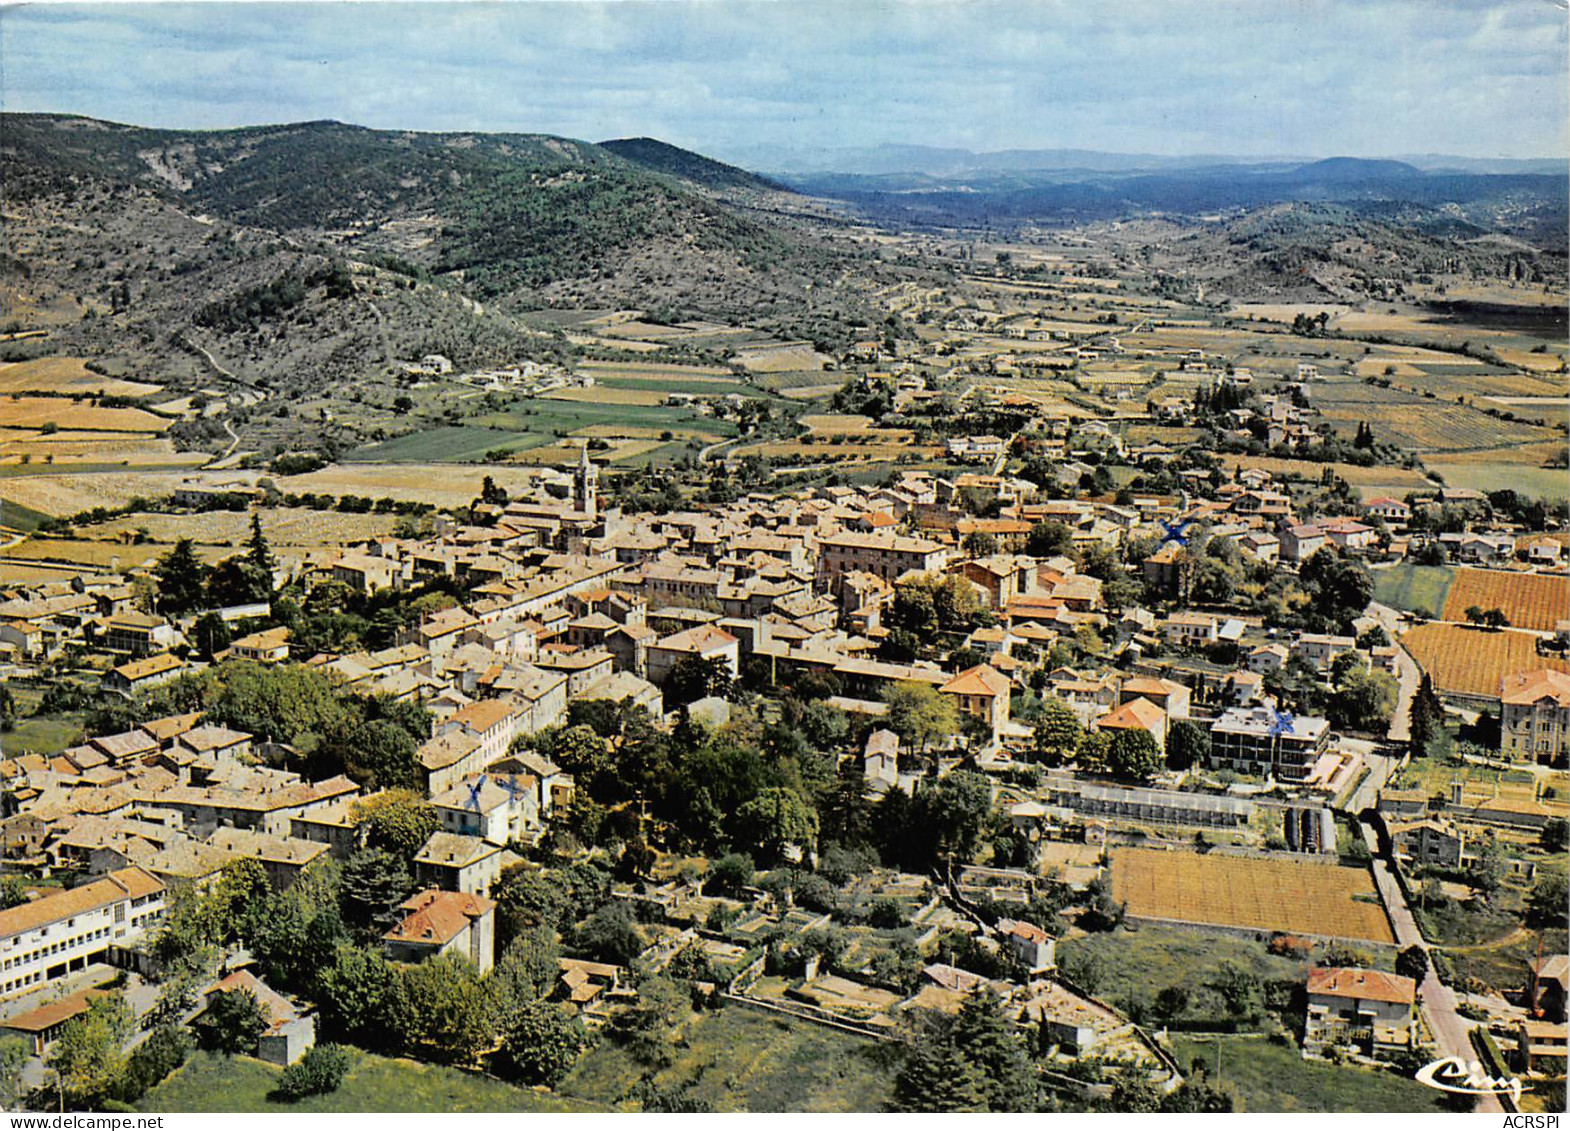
(1296, 898)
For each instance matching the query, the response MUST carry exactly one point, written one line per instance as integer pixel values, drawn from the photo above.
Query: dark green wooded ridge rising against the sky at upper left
(500, 213)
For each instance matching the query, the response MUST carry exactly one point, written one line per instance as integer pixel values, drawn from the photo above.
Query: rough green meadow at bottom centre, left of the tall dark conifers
(740, 1060)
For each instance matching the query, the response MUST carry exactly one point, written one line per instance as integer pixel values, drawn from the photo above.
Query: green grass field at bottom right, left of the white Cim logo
(1274, 1078)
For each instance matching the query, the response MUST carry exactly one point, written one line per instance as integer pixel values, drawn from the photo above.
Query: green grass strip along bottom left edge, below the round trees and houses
(211, 1083)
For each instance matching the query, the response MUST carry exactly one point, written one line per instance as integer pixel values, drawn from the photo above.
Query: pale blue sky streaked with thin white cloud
(736, 78)
